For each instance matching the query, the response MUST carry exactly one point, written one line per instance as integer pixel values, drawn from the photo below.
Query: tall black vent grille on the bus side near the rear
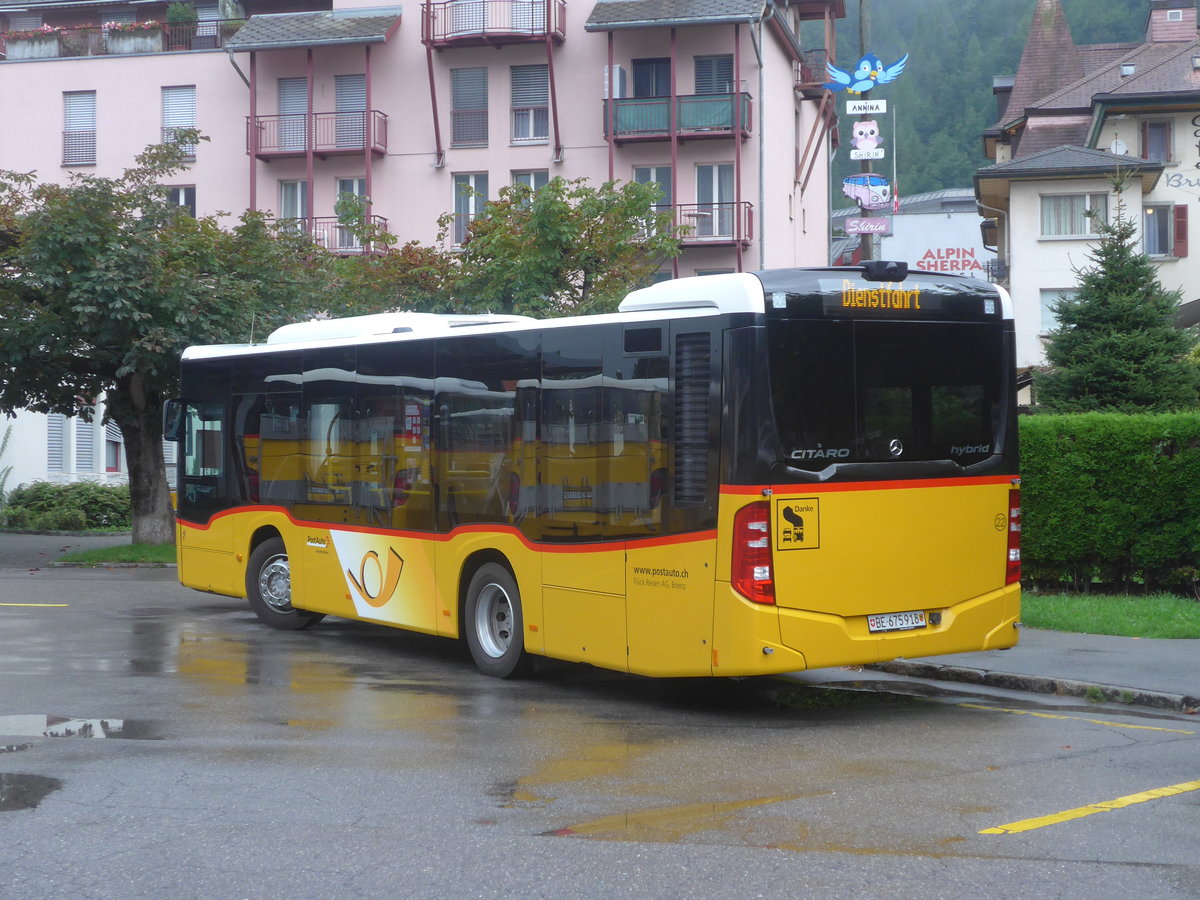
(692, 452)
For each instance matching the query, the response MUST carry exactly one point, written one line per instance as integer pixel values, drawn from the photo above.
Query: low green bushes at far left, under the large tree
(68, 508)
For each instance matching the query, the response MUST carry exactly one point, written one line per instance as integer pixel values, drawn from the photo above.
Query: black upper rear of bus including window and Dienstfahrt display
(868, 381)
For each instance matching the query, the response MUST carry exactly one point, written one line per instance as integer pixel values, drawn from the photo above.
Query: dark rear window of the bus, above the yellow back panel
(862, 392)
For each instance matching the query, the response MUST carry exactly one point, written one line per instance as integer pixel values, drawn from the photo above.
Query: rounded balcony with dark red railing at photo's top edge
(479, 23)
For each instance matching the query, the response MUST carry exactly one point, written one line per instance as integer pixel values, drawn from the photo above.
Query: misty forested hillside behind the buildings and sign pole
(944, 101)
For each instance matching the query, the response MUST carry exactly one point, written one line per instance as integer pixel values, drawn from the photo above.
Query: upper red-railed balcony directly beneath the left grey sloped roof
(274, 137)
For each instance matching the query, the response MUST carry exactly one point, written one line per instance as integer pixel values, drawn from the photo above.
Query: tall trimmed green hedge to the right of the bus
(1113, 500)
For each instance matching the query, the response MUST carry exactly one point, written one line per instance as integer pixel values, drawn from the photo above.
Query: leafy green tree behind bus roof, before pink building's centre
(563, 249)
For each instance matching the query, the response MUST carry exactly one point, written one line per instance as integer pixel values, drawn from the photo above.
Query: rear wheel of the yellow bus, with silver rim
(494, 622)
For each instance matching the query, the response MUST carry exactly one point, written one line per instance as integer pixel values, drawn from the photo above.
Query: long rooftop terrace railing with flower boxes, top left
(100, 41)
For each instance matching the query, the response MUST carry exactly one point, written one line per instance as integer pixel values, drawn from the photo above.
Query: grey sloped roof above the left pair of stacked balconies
(315, 29)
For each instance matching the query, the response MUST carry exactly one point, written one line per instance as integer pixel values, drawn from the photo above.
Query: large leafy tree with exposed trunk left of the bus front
(104, 283)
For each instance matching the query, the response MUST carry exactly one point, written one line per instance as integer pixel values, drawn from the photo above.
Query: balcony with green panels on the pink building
(698, 117)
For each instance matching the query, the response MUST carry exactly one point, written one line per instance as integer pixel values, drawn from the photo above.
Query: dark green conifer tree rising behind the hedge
(1117, 347)
